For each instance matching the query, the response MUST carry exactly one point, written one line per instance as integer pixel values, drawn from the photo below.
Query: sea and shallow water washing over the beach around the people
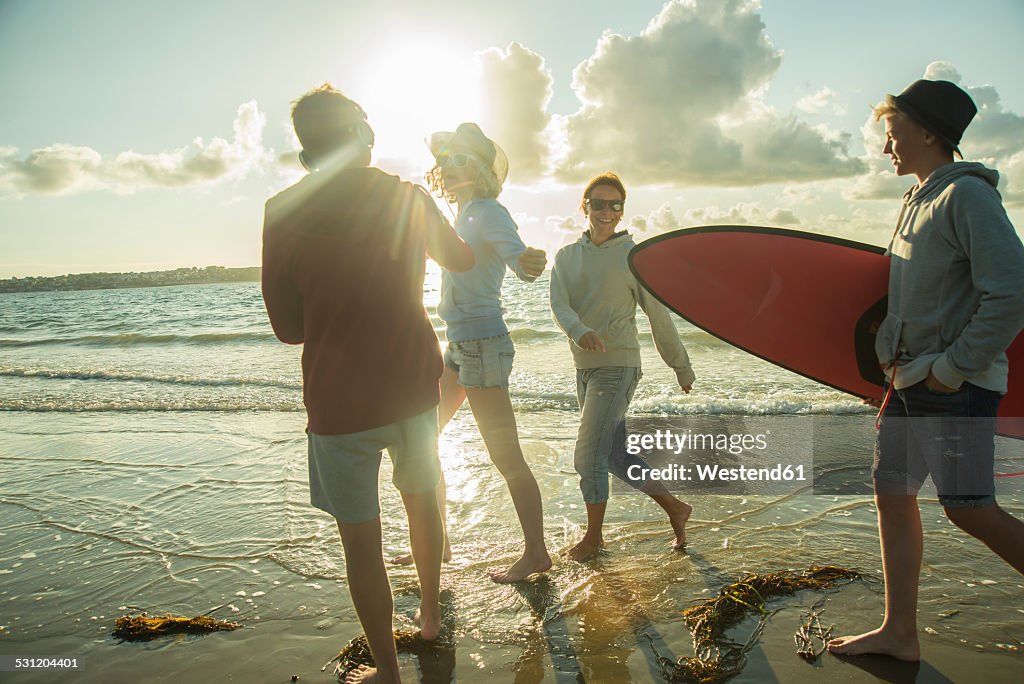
(162, 467)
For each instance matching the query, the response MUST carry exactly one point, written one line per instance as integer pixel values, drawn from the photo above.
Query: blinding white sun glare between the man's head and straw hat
(412, 89)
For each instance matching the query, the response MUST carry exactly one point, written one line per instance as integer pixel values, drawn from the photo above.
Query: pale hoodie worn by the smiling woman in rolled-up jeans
(593, 291)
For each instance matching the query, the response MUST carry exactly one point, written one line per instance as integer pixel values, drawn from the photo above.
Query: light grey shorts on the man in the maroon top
(344, 468)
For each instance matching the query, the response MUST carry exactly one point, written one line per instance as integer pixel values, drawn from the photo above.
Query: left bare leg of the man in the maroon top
(368, 584)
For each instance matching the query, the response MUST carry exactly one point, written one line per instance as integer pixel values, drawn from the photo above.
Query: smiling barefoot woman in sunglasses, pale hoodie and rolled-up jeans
(594, 300)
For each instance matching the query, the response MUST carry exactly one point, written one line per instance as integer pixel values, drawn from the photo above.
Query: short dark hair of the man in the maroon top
(324, 119)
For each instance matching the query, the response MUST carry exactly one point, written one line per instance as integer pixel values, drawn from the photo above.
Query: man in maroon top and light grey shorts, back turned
(344, 268)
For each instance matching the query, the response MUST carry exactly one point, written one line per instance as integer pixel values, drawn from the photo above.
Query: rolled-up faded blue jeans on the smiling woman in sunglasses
(605, 395)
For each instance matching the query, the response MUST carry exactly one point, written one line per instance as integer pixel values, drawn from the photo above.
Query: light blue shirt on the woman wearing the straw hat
(472, 303)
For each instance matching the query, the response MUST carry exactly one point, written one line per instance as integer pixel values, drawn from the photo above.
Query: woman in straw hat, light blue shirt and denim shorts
(470, 172)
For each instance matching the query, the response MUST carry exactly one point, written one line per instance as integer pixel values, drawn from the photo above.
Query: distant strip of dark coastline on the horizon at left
(193, 276)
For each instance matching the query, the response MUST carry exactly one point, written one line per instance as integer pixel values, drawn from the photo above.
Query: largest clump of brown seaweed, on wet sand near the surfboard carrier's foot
(718, 657)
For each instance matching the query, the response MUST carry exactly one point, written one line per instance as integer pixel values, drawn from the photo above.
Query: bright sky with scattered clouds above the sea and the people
(146, 137)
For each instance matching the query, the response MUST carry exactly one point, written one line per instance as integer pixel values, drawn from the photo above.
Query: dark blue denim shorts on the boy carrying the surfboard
(948, 437)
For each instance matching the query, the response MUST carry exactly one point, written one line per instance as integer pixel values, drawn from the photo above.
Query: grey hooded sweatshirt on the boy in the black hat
(956, 282)
